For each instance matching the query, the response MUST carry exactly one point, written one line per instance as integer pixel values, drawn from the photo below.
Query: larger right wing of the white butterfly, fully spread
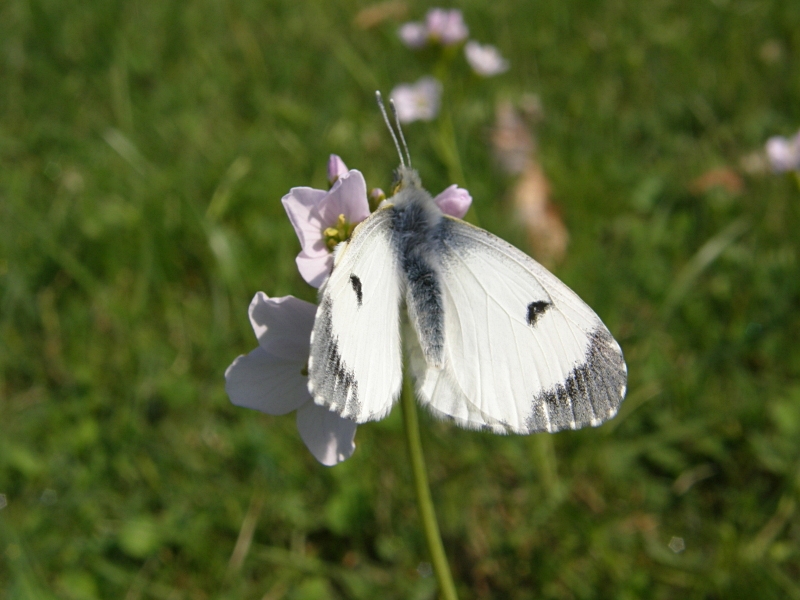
(522, 352)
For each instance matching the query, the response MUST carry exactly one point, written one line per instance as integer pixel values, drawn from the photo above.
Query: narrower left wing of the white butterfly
(355, 365)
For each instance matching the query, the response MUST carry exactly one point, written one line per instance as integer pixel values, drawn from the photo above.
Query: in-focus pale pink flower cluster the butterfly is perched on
(273, 377)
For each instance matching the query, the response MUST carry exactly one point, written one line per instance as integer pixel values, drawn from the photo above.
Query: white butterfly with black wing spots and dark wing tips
(497, 341)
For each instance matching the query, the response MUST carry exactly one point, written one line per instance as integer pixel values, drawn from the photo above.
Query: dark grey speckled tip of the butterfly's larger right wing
(590, 394)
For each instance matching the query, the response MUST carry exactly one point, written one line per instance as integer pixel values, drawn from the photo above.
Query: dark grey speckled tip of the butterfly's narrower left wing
(329, 376)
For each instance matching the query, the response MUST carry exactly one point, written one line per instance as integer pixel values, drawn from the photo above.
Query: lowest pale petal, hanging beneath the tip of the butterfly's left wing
(328, 436)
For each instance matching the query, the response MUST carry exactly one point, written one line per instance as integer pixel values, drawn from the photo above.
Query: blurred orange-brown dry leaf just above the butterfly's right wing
(547, 235)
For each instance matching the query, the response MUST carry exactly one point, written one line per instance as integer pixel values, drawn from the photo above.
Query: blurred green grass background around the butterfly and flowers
(144, 149)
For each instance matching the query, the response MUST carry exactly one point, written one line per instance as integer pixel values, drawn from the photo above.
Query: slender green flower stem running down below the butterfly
(441, 569)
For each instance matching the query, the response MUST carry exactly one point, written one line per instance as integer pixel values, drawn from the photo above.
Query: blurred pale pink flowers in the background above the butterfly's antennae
(420, 101)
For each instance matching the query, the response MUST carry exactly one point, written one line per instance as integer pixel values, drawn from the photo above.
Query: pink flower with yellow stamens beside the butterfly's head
(323, 219)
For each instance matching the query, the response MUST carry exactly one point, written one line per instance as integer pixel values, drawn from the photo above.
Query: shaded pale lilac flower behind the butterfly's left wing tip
(273, 377)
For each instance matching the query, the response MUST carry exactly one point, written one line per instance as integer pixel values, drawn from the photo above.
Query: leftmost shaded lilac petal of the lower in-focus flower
(264, 382)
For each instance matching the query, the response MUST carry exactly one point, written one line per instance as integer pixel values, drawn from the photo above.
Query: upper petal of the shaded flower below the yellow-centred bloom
(283, 326)
